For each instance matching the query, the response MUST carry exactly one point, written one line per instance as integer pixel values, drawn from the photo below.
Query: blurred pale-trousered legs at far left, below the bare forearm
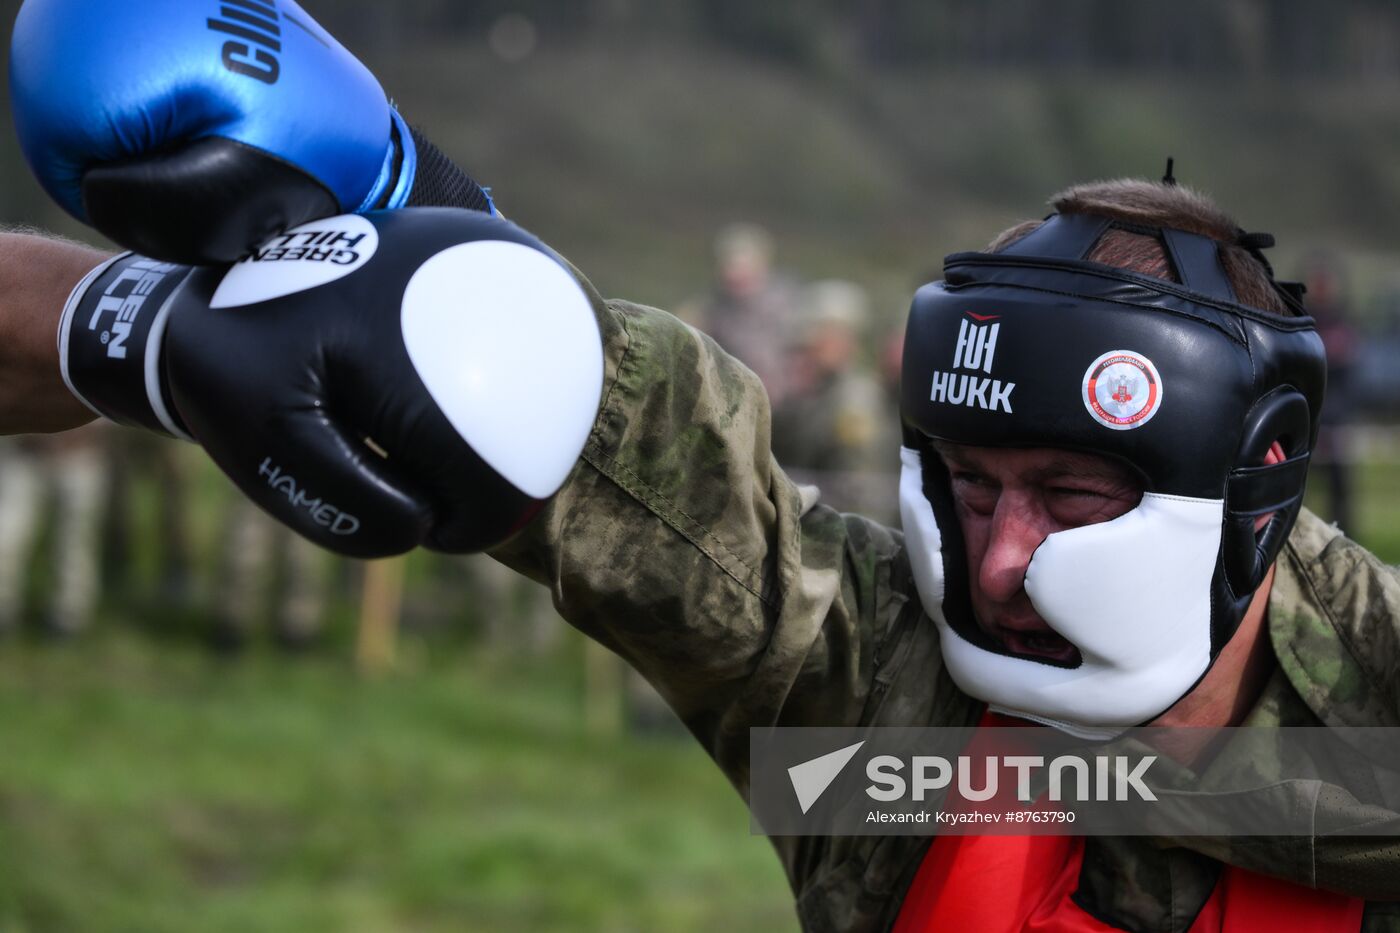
(62, 477)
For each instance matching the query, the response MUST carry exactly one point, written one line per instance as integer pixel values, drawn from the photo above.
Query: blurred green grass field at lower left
(148, 788)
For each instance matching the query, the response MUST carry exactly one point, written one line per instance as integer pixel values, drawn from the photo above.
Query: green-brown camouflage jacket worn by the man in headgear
(680, 544)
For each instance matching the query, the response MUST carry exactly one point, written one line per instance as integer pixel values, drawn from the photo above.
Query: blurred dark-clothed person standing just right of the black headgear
(1328, 300)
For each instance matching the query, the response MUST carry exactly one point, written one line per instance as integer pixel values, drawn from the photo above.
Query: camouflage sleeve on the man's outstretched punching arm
(680, 544)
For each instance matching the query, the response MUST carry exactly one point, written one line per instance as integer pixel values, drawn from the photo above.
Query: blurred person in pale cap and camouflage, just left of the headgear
(829, 420)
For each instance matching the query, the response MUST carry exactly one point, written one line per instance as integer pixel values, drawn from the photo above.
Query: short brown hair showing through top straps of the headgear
(1157, 205)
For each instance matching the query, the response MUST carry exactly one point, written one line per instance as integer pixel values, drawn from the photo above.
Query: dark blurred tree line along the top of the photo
(1258, 39)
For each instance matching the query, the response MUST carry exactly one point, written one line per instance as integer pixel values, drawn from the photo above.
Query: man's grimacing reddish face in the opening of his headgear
(1009, 502)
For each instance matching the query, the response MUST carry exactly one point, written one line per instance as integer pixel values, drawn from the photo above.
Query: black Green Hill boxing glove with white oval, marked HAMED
(379, 382)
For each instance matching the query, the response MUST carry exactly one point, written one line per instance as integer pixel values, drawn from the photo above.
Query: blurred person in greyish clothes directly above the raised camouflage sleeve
(752, 307)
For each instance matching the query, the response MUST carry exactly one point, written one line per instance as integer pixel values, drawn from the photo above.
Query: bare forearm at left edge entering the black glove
(37, 274)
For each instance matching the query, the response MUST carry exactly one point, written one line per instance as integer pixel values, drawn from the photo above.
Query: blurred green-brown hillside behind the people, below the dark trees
(629, 148)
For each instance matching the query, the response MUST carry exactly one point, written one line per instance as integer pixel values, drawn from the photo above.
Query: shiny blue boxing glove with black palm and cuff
(195, 131)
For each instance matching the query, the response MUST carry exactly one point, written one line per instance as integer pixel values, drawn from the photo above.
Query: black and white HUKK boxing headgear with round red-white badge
(1037, 347)
